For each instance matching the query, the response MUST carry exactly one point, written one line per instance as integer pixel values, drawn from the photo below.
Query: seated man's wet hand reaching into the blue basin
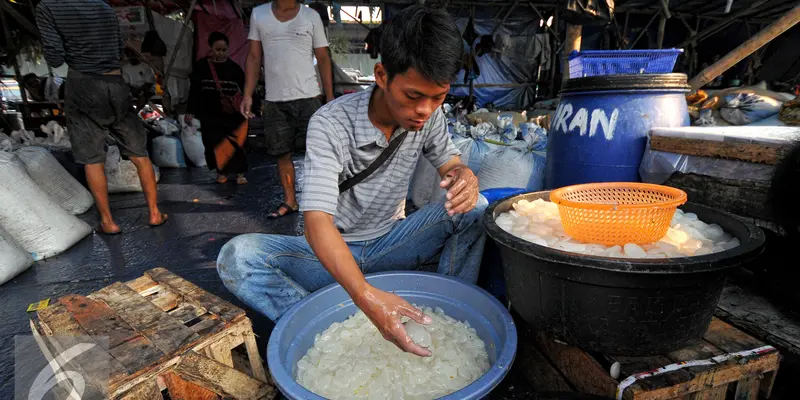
(384, 310)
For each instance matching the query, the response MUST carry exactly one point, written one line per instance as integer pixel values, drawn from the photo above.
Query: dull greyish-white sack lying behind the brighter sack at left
(54, 180)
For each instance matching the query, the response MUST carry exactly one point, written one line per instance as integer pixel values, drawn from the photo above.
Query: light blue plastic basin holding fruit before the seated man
(294, 333)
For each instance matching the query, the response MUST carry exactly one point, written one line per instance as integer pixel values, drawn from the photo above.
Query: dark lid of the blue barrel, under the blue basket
(627, 82)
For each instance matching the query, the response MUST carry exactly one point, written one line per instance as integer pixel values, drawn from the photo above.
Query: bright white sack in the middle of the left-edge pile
(36, 222)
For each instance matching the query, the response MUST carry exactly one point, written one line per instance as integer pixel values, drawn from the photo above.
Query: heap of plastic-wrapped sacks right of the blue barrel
(737, 106)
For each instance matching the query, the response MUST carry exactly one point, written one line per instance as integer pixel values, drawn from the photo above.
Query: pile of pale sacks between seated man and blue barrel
(502, 153)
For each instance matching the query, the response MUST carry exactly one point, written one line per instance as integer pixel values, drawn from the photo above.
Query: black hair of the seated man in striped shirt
(426, 39)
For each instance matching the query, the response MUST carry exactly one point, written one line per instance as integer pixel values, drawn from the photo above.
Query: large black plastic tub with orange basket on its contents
(613, 305)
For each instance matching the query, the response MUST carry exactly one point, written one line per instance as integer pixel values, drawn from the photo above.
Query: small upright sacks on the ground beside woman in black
(169, 149)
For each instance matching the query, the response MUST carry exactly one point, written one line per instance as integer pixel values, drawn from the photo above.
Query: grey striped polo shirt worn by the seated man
(341, 143)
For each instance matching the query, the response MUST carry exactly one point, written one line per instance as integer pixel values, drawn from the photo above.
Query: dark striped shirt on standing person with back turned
(84, 34)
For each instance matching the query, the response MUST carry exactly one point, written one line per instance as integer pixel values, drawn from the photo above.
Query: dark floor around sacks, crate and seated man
(203, 216)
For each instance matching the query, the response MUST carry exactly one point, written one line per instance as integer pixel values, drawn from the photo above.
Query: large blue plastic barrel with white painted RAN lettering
(599, 130)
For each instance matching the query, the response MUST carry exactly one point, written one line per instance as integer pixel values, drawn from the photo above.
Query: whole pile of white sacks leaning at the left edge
(40, 200)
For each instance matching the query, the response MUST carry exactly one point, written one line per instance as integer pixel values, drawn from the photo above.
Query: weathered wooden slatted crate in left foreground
(164, 334)
